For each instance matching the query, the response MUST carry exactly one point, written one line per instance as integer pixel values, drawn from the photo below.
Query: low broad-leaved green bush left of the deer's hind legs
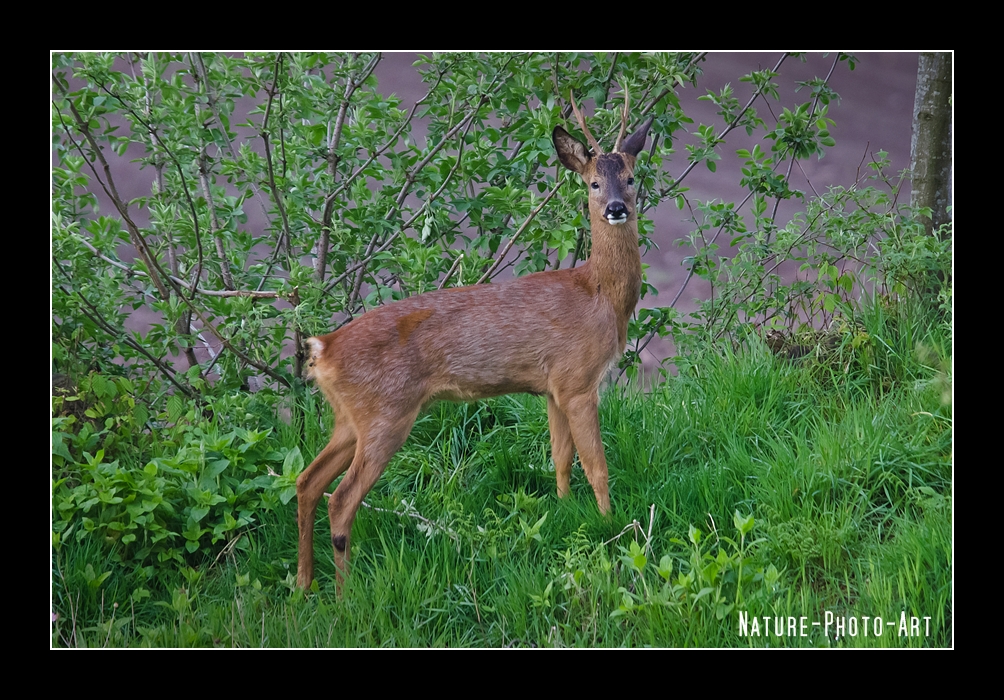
(204, 486)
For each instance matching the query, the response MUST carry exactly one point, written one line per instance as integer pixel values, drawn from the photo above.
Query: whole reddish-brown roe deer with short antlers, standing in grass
(553, 333)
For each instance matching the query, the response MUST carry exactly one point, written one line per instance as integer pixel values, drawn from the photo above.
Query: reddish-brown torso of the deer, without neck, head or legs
(536, 335)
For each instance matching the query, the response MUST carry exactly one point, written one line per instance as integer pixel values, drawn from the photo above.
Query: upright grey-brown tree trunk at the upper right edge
(931, 146)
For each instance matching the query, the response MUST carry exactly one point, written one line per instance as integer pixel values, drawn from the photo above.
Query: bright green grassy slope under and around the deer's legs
(845, 466)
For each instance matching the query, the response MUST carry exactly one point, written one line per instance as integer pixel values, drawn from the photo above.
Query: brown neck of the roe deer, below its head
(615, 267)
